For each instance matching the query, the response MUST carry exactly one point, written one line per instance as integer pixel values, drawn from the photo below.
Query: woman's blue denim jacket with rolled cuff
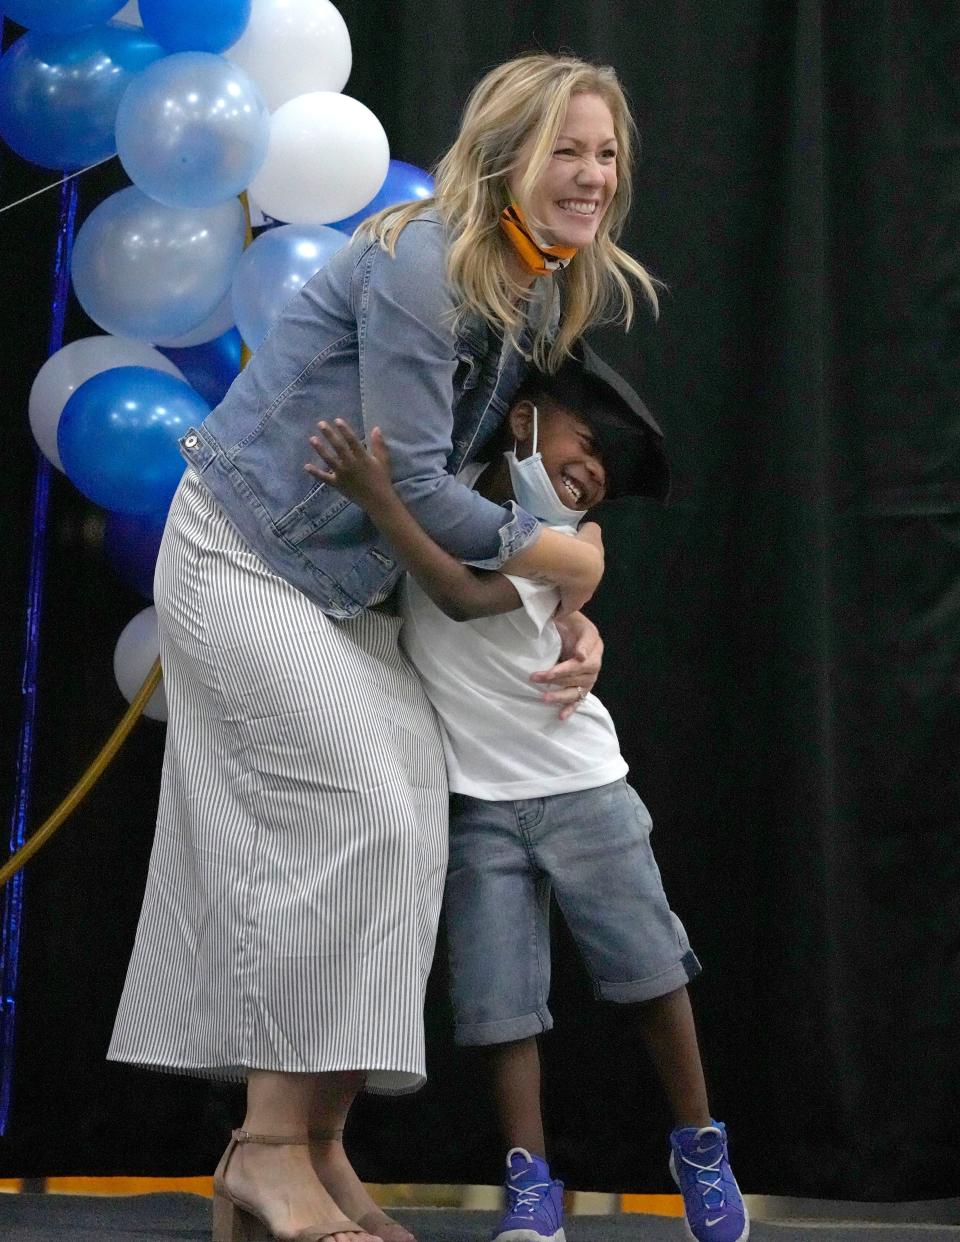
(369, 340)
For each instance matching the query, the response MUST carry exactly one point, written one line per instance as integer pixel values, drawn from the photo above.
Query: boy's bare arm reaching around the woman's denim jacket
(365, 478)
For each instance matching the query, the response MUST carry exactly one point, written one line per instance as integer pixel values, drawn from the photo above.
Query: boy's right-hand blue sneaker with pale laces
(712, 1199)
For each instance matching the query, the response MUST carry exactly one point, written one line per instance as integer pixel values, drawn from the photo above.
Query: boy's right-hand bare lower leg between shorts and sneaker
(670, 1035)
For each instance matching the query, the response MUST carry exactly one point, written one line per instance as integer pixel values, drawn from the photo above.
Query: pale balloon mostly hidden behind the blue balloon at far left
(64, 372)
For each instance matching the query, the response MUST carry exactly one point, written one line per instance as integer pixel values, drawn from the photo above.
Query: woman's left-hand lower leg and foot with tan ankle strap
(279, 1181)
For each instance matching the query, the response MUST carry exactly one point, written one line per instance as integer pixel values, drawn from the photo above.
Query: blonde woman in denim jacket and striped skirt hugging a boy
(295, 885)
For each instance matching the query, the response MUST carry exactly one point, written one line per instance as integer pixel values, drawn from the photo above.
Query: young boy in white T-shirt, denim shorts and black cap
(541, 804)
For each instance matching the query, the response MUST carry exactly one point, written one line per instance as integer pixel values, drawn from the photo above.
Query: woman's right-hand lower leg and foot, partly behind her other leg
(331, 1102)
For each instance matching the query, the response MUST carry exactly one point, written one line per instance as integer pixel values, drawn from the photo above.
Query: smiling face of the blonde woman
(581, 178)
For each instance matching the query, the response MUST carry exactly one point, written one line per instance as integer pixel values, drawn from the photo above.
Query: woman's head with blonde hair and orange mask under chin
(536, 134)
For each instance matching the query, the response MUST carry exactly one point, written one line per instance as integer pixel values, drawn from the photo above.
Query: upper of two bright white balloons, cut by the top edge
(294, 47)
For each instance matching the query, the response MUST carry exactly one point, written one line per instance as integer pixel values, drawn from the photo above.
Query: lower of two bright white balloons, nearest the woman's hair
(327, 158)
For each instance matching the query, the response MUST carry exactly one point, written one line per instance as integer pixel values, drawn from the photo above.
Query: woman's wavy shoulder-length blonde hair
(521, 101)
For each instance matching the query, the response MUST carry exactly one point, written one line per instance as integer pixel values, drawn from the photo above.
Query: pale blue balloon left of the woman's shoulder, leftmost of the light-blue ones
(155, 273)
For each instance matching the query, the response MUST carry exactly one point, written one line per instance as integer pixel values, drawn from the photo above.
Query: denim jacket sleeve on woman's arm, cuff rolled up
(408, 358)
